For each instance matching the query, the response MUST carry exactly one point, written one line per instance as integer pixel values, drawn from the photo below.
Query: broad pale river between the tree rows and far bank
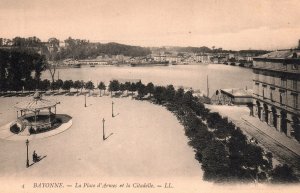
(193, 75)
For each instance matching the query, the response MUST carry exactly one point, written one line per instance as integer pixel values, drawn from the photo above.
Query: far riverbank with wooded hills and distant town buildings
(76, 53)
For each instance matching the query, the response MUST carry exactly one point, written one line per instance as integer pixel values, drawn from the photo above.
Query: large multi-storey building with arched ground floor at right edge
(276, 91)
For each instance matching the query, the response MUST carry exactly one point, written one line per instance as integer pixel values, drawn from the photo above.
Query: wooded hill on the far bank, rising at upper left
(76, 48)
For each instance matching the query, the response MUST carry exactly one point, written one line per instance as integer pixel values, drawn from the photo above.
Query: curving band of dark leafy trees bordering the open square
(223, 150)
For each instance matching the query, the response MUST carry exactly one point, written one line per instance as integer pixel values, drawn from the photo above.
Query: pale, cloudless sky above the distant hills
(229, 24)
